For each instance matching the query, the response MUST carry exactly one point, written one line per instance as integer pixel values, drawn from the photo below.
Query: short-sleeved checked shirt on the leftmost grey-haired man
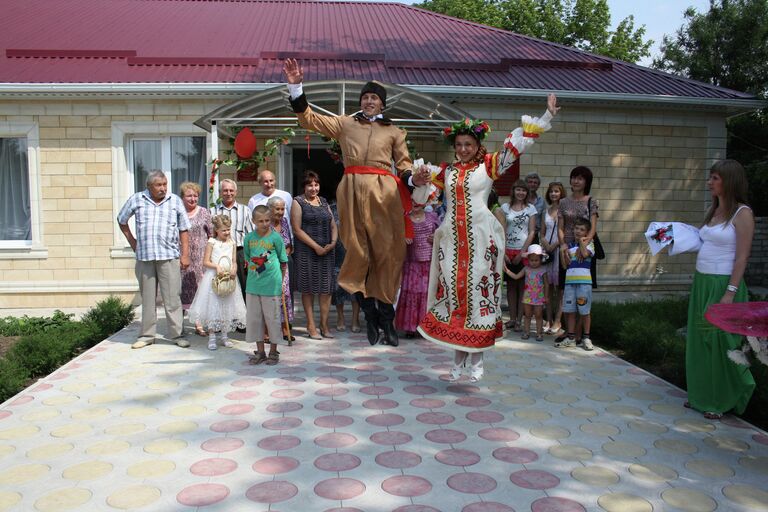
(157, 225)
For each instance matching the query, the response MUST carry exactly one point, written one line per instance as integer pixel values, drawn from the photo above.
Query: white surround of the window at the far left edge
(34, 248)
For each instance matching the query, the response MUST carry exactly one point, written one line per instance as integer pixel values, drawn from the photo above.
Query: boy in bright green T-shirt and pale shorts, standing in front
(265, 256)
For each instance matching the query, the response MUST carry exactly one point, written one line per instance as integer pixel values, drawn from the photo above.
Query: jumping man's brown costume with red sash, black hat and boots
(372, 202)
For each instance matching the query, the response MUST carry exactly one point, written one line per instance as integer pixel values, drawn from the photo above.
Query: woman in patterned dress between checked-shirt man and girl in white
(199, 232)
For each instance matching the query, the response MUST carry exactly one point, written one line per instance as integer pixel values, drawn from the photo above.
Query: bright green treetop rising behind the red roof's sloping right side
(583, 24)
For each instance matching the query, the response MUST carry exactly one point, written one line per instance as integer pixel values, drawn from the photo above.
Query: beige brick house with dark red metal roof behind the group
(88, 110)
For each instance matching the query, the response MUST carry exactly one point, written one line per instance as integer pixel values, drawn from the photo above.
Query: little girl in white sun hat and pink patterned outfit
(536, 291)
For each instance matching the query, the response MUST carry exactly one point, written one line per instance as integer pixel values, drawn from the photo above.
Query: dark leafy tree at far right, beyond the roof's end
(728, 47)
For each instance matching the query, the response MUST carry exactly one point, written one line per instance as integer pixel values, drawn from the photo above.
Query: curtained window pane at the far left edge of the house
(15, 206)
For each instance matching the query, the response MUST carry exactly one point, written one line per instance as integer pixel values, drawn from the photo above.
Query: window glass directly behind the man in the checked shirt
(184, 156)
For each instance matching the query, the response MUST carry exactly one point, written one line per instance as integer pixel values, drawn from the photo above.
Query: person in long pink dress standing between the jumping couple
(412, 302)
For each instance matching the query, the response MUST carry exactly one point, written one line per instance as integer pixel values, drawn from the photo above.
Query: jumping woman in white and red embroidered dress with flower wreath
(464, 301)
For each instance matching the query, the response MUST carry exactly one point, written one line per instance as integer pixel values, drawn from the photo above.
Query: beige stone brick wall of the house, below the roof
(648, 165)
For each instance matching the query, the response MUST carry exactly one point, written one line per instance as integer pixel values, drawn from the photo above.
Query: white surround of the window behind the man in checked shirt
(123, 135)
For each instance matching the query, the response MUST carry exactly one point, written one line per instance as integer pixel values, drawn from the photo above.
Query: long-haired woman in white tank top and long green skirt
(716, 384)
